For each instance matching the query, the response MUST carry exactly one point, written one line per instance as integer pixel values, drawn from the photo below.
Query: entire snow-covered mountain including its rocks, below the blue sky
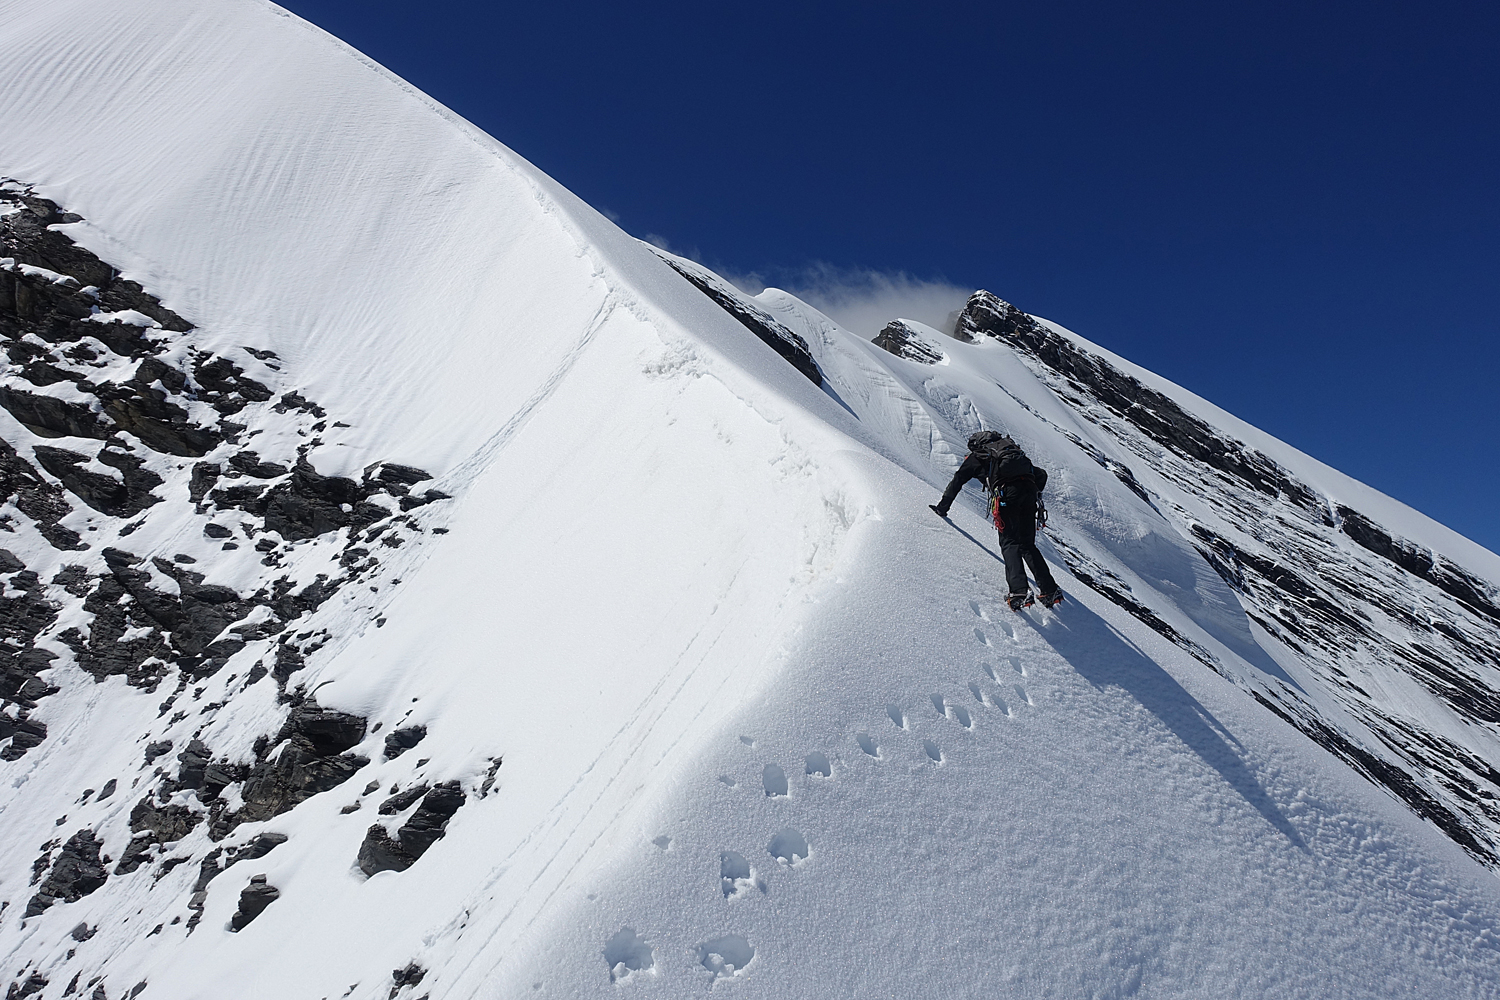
(416, 587)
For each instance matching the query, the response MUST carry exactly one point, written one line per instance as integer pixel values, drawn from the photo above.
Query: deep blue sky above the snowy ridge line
(1292, 209)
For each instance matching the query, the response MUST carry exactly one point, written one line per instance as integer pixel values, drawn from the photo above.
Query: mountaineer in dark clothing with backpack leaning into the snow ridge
(1015, 488)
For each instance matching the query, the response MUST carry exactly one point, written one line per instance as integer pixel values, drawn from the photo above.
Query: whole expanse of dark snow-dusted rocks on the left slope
(127, 424)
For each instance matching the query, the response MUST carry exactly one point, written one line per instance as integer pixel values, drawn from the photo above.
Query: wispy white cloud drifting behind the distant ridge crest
(865, 301)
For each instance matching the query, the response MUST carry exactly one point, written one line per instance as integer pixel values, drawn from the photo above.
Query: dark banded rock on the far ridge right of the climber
(1279, 545)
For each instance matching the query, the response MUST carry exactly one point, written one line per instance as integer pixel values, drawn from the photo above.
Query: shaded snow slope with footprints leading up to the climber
(1123, 828)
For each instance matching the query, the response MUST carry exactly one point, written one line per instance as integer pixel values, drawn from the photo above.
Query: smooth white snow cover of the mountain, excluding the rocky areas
(766, 725)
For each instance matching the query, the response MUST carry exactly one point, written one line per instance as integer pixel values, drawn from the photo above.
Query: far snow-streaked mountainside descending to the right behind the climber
(1373, 632)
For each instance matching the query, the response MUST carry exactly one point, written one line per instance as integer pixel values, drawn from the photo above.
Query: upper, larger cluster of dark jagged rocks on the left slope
(65, 319)
